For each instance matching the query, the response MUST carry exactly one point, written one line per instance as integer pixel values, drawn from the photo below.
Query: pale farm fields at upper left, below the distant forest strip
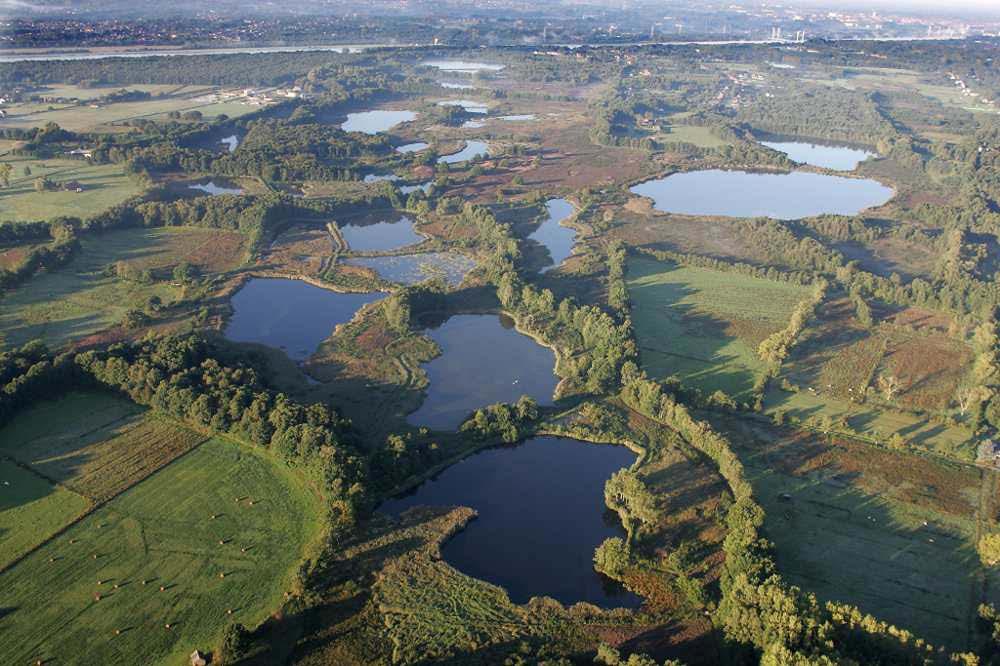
(88, 118)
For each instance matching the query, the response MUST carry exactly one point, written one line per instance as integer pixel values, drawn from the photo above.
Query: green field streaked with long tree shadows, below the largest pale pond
(704, 326)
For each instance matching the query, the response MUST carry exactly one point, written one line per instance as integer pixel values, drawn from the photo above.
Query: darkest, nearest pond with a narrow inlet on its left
(541, 515)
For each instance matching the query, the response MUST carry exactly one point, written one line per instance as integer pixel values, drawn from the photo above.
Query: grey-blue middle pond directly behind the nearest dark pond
(483, 361)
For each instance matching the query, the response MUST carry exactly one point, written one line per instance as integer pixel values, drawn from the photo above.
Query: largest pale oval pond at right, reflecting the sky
(787, 196)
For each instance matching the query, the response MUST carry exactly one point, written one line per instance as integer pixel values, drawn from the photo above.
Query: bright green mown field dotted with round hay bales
(162, 531)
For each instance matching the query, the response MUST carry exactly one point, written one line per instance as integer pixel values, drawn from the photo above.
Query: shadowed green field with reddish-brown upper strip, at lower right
(890, 532)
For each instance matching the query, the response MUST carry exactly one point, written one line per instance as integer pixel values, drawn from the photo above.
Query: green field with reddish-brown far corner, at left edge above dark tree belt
(78, 299)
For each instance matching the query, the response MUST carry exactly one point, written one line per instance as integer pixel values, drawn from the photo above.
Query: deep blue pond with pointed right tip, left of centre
(290, 314)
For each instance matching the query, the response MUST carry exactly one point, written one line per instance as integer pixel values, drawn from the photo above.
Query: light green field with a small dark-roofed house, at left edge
(104, 186)
